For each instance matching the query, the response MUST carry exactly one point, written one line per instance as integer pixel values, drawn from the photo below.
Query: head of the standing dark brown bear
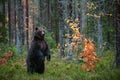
(39, 34)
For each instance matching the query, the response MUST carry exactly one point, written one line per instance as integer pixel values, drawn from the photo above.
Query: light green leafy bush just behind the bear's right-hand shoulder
(50, 40)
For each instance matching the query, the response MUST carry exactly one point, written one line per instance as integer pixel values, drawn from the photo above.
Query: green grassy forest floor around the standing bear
(60, 69)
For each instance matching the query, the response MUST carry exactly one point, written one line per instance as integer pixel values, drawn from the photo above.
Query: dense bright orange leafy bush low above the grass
(89, 56)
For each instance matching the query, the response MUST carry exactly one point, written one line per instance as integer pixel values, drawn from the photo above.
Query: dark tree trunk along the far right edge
(117, 32)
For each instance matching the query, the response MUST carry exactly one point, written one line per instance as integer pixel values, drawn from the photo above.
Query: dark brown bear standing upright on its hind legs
(37, 53)
